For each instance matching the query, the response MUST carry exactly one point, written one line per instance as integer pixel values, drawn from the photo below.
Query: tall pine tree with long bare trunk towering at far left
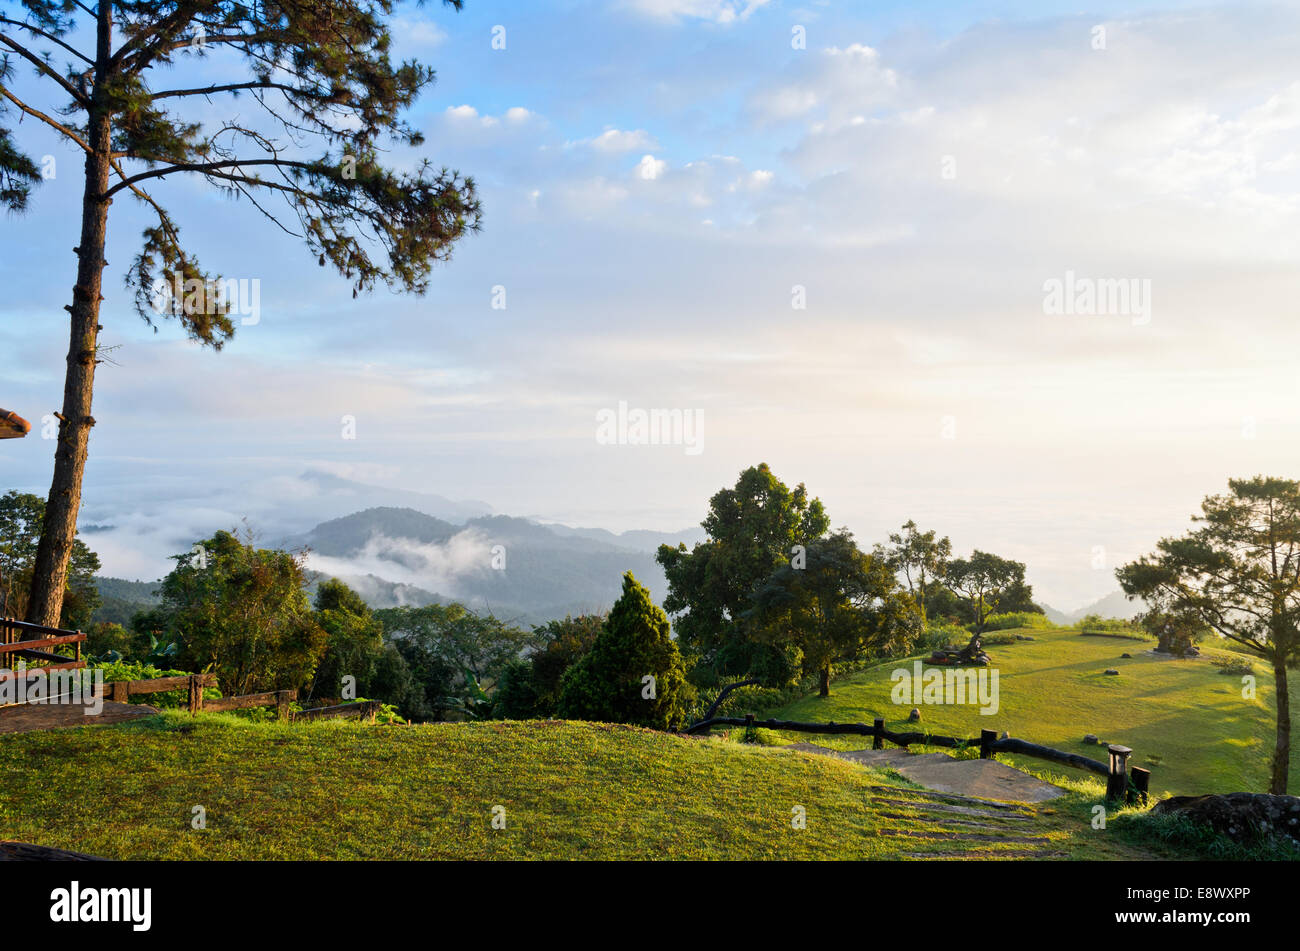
(270, 102)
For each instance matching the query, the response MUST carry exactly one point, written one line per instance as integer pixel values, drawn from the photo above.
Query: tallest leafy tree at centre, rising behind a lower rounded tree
(753, 529)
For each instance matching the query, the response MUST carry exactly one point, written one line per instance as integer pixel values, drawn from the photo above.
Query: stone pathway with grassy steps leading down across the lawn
(980, 804)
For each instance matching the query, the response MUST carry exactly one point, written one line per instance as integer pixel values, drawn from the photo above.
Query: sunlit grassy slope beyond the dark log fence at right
(1185, 720)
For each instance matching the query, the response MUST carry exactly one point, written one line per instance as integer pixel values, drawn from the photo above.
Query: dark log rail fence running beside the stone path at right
(1119, 776)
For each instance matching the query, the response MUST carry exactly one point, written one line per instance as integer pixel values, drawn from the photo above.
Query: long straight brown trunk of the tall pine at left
(50, 577)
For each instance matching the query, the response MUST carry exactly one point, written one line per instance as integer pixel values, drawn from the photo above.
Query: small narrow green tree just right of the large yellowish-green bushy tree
(354, 641)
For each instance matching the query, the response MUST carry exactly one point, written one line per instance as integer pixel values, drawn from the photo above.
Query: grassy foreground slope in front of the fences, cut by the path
(354, 792)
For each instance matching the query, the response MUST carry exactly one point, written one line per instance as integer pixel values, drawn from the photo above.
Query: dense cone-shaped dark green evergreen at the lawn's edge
(634, 672)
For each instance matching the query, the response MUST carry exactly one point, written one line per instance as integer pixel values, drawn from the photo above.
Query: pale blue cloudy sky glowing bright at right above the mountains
(1021, 272)
